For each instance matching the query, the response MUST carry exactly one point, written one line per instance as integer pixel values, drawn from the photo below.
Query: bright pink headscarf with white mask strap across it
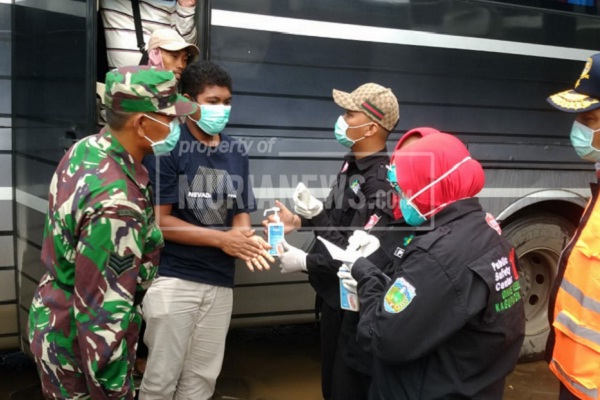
(428, 159)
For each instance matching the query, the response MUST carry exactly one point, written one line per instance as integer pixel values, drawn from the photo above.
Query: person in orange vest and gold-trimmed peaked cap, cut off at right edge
(572, 350)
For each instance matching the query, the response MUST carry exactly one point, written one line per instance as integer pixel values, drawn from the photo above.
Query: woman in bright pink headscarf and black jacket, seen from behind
(448, 322)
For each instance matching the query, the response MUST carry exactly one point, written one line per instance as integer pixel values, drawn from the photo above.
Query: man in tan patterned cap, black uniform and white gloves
(360, 199)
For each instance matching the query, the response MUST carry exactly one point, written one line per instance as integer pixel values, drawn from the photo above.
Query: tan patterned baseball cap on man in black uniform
(377, 102)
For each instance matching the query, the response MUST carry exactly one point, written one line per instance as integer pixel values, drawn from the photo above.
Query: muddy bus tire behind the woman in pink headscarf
(538, 240)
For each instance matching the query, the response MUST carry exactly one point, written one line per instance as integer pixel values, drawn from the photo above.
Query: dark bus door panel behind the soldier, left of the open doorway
(53, 105)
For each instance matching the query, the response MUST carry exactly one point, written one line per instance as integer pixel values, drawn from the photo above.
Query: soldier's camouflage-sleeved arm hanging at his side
(107, 265)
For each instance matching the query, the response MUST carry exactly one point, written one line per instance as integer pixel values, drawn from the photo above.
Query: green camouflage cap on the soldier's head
(145, 89)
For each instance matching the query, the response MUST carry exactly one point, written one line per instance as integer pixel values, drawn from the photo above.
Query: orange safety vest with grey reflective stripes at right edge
(576, 356)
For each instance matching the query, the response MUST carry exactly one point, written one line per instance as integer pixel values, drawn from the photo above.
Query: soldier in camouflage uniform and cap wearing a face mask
(101, 242)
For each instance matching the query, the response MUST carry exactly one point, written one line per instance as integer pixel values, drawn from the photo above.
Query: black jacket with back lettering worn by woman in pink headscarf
(449, 322)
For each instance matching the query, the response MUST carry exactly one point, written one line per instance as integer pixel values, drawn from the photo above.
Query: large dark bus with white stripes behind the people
(478, 69)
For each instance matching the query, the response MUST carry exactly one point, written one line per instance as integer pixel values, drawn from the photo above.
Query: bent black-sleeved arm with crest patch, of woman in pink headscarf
(407, 315)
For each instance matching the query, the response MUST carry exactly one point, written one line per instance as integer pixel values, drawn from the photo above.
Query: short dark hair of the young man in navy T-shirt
(197, 76)
